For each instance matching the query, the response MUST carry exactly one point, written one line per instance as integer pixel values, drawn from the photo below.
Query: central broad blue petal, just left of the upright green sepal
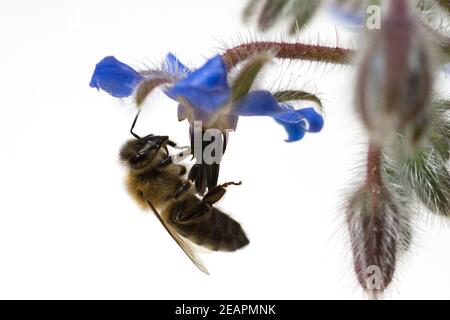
(206, 88)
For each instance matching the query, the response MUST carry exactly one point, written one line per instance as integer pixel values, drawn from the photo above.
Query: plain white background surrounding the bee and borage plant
(69, 230)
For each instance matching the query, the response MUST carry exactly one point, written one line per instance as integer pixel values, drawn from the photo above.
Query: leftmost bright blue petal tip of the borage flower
(115, 77)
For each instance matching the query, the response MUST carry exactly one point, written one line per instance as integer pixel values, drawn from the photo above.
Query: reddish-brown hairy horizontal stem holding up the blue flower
(283, 50)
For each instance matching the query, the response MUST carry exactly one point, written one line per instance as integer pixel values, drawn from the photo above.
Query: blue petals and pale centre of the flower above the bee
(205, 95)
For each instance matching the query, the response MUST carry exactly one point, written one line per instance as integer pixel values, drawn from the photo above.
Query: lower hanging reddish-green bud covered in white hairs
(375, 232)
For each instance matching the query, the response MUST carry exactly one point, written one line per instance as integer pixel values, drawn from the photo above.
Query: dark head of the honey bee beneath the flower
(141, 154)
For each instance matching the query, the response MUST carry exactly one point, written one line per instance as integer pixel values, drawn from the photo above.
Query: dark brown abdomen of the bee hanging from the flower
(215, 230)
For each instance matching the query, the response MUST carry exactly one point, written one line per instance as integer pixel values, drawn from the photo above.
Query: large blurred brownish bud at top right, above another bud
(394, 80)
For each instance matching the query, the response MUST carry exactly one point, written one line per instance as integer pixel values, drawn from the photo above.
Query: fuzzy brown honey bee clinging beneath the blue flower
(155, 181)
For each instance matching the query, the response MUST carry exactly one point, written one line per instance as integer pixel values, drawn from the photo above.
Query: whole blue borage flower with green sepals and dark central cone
(205, 96)
